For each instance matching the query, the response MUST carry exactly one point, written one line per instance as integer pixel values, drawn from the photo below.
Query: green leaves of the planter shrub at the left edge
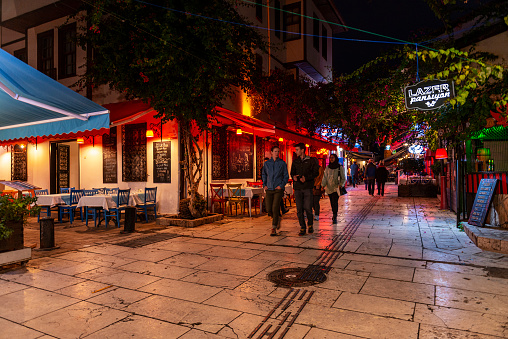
(15, 210)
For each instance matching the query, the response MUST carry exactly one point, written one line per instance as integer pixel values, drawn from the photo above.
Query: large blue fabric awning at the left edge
(32, 104)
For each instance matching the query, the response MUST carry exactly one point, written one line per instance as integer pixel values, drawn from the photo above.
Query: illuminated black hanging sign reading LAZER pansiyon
(428, 95)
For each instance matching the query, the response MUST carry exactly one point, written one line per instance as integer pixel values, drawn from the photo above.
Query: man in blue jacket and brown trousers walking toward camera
(275, 177)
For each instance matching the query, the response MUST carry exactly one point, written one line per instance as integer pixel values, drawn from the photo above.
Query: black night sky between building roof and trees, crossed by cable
(402, 19)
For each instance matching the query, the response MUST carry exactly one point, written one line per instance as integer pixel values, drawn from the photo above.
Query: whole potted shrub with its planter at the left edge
(13, 214)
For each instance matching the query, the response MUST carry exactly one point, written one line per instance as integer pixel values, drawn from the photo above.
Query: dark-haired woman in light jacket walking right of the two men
(333, 178)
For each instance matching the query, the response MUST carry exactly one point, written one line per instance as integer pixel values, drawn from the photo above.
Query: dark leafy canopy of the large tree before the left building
(183, 65)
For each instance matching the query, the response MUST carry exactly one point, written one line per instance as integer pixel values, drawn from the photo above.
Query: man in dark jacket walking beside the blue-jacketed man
(303, 171)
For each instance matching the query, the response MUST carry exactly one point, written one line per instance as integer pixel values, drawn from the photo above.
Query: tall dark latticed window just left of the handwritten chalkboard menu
(134, 166)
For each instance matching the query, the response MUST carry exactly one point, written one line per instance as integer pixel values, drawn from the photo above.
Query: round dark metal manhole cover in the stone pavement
(292, 277)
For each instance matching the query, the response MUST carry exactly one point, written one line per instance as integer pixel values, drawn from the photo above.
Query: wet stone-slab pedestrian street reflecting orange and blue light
(397, 268)
